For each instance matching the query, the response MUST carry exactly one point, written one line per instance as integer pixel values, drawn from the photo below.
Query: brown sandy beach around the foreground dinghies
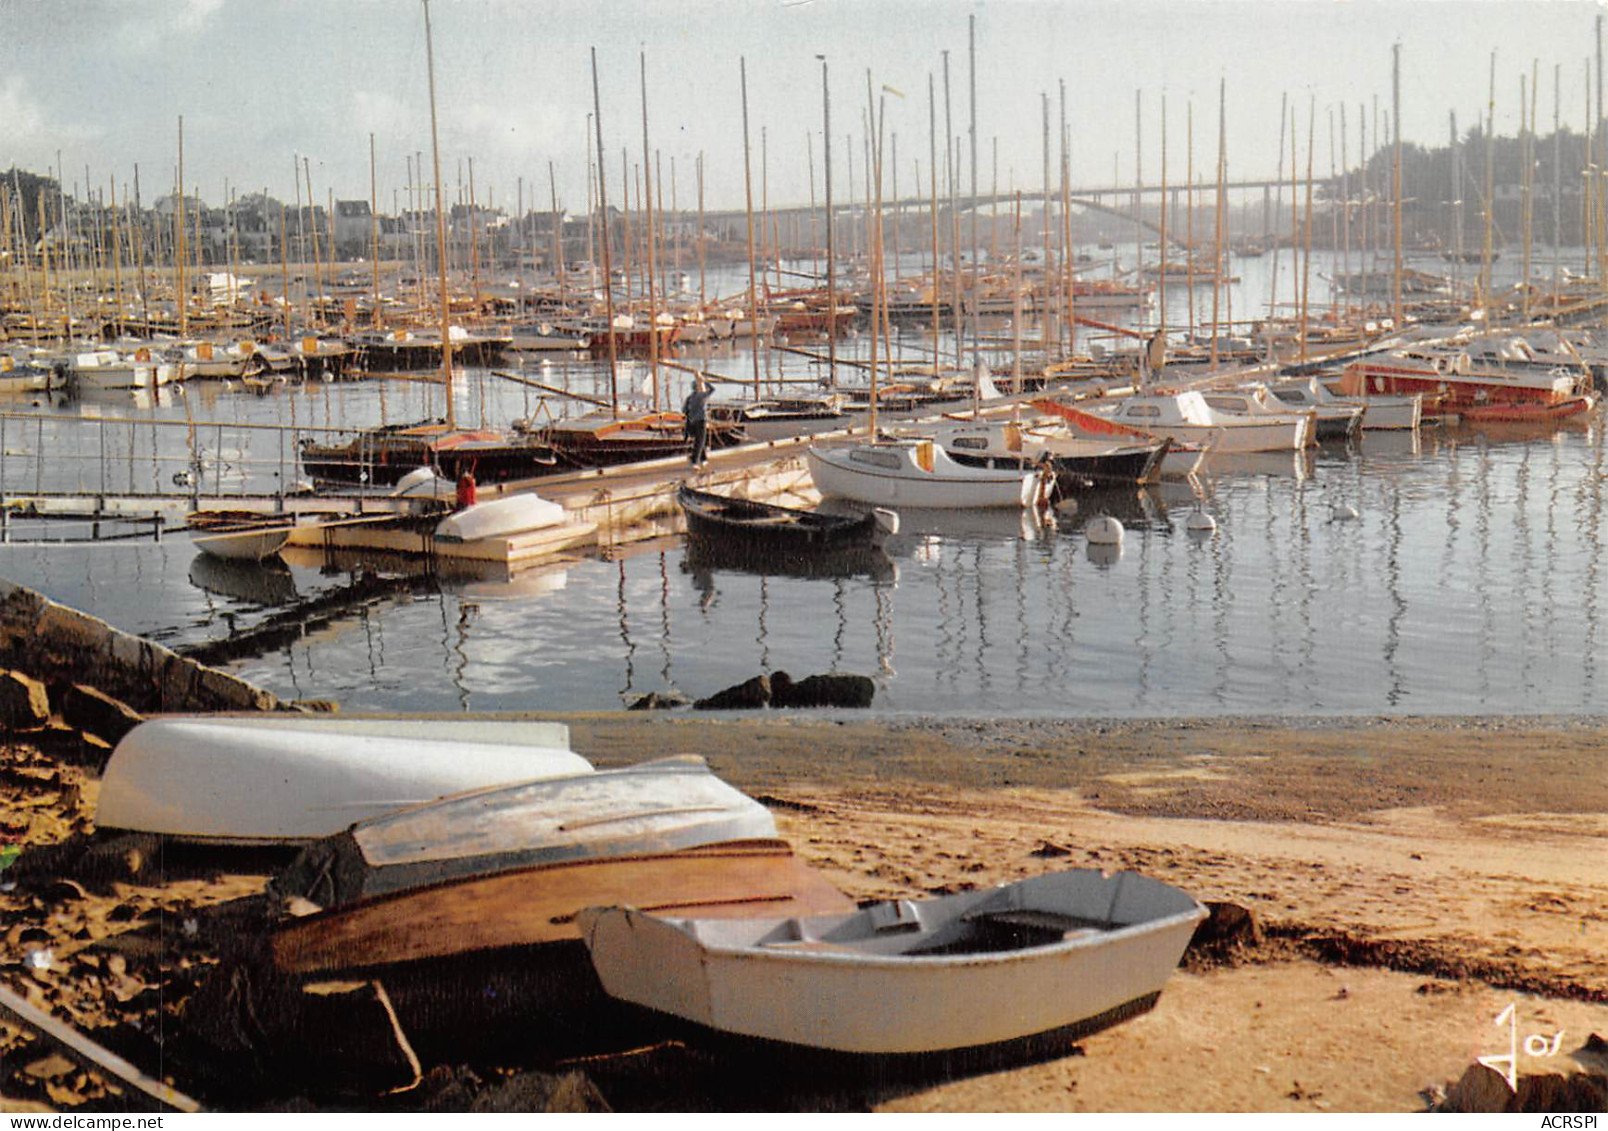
(1411, 879)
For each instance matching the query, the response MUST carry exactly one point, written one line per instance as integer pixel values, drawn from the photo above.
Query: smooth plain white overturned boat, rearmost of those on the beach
(295, 778)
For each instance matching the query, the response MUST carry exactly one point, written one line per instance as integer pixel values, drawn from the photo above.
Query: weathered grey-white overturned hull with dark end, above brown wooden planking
(658, 807)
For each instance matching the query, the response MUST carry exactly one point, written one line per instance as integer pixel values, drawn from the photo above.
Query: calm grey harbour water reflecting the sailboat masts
(1456, 572)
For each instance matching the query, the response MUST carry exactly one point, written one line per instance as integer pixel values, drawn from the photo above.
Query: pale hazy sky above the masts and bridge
(265, 83)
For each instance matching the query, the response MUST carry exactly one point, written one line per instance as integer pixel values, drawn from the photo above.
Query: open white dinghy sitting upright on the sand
(1059, 953)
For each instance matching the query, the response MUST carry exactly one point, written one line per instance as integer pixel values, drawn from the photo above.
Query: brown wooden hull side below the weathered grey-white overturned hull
(539, 905)
